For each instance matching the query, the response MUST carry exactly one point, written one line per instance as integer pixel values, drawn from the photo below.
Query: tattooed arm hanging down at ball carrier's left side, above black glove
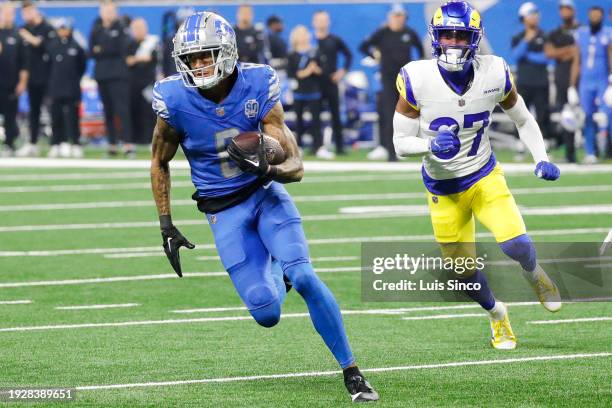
(165, 144)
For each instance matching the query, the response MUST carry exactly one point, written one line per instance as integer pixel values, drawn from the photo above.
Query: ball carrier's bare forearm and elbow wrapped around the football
(292, 169)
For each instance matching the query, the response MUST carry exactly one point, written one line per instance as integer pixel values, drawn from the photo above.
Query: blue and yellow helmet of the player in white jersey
(460, 20)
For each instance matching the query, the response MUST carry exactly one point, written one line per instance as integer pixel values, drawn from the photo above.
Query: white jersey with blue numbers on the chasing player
(421, 84)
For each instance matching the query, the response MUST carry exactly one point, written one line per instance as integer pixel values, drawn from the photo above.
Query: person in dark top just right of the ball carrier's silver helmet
(249, 39)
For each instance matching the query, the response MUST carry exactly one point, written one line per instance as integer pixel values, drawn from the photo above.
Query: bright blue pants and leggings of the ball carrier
(267, 225)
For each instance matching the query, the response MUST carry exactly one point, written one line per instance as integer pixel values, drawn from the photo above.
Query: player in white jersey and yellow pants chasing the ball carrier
(443, 112)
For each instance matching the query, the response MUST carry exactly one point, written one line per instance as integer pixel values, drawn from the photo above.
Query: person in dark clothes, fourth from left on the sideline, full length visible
(108, 42)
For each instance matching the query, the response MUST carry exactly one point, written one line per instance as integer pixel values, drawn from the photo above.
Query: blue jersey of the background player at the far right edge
(594, 65)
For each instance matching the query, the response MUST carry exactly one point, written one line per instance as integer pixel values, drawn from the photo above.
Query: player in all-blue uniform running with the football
(256, 226)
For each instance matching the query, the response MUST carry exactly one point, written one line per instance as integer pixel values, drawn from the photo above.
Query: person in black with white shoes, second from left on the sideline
(36, 33)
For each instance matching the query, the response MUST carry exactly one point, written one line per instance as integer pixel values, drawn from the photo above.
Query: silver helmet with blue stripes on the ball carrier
(201, 33)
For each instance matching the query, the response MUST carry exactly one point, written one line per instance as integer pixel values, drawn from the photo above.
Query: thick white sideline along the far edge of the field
(308, 165)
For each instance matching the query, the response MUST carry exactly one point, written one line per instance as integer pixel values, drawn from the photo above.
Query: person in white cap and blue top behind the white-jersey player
(528, 52)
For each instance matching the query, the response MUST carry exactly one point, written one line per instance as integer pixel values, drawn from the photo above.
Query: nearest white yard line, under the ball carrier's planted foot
(501, 361)
